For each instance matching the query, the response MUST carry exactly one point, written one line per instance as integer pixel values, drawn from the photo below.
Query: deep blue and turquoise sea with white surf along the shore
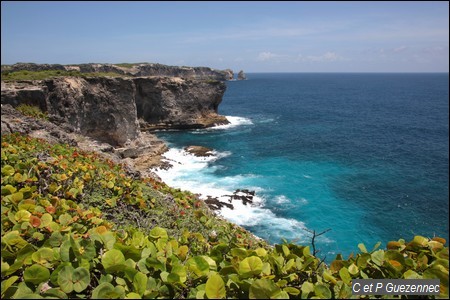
(365, 155)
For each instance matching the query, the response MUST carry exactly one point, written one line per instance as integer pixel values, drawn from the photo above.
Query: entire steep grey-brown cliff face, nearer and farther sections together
(108, 109)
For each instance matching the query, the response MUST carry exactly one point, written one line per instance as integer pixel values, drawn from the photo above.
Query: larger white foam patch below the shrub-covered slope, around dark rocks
(196, 174)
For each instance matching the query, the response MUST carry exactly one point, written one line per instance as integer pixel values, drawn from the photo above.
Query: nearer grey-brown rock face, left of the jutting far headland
(102, 108)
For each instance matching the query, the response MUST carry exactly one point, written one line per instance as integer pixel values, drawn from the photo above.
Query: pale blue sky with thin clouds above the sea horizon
(253, 36)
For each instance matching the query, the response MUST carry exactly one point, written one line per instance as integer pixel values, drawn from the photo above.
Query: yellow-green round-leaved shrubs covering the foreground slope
(78, 226)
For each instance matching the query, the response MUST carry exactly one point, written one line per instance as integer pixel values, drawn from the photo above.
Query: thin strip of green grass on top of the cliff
(42, 75)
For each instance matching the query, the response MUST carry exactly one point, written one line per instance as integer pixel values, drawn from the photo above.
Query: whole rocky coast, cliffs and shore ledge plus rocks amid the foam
(114, 116)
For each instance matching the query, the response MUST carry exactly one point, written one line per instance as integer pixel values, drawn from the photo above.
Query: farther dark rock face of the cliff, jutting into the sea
(173, 102)
